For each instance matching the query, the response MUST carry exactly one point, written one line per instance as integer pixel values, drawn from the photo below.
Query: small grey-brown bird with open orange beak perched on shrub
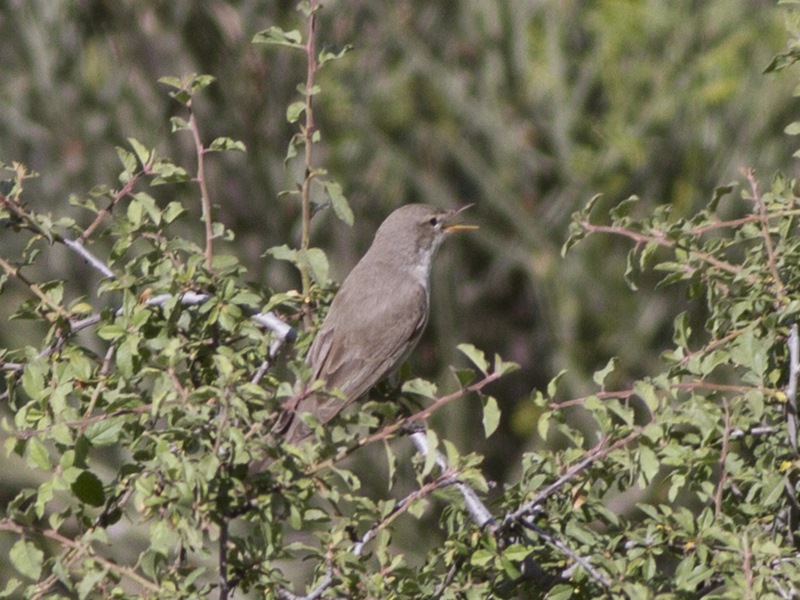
(379, 313)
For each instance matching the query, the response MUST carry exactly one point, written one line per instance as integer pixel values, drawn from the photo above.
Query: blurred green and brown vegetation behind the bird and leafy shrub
(526, 108)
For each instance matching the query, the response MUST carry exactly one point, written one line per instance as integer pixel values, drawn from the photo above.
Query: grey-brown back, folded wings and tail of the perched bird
(383, 325)
